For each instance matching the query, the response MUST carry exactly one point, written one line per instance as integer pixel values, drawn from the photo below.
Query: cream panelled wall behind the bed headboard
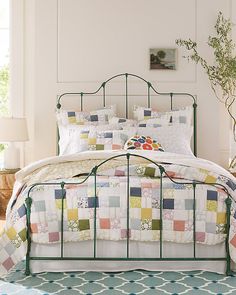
(74, 45)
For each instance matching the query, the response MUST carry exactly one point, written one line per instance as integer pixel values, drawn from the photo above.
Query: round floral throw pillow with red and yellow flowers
(140, 142)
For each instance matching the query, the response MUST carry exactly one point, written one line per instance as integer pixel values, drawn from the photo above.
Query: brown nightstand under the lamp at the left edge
(7, 179)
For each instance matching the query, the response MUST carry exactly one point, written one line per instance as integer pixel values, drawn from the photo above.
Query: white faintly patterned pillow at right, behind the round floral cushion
(173, 138)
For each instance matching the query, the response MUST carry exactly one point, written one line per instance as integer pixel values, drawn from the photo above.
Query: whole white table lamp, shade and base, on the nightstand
(12, 130)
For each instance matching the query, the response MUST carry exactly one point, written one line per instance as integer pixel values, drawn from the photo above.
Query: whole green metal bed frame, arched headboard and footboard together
(94, 173)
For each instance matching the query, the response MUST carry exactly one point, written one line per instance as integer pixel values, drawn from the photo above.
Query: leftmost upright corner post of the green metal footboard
(28, 203)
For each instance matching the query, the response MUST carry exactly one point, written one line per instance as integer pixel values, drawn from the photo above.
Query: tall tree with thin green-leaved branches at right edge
(222, 73)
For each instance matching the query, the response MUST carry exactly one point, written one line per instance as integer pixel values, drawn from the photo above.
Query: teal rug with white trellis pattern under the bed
(129, 282)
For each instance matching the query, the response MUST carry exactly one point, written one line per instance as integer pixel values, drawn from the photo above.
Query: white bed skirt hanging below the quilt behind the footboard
(118, 249)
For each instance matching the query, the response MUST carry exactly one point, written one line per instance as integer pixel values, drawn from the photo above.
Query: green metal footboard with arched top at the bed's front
(128, 257)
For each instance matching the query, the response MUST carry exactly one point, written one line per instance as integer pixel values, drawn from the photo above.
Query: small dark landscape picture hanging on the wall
(163, 58)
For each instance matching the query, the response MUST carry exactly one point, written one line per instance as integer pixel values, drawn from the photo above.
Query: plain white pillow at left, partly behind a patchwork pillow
(74, 138)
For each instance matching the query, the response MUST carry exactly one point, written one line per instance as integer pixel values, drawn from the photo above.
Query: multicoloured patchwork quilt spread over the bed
(77, 199)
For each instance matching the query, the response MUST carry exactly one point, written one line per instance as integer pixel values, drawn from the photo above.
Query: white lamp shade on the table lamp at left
(13, 129)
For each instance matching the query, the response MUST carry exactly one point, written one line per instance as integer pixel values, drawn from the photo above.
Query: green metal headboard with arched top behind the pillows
(171, 95)
